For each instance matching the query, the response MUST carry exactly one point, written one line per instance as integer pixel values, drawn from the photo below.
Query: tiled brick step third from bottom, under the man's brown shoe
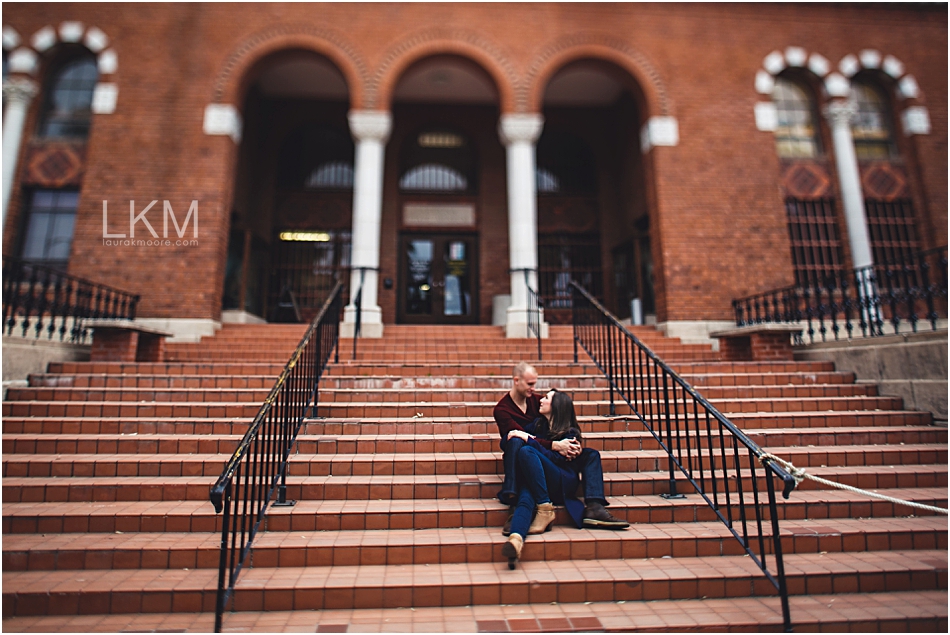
(454, 545)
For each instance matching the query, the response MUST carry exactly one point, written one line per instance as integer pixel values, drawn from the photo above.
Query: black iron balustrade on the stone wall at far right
(903, 292)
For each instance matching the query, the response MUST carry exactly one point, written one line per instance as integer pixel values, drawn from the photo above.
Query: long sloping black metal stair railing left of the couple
(258, 467)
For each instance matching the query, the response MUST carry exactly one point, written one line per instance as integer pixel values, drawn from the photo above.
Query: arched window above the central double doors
(437, 161)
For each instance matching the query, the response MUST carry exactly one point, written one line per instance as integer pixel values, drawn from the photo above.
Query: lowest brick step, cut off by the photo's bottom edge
(924, 611)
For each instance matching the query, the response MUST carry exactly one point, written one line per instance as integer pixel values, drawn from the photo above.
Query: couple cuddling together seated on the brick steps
(545, 462)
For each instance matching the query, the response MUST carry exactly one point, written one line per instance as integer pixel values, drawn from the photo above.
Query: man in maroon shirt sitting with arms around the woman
(519, 410)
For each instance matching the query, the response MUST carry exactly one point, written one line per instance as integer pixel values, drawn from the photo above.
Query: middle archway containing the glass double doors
(444, 196)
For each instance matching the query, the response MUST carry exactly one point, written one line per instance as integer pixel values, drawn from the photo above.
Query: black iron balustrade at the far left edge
(45, 300)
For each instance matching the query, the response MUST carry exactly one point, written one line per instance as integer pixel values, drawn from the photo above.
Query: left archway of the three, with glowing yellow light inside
(292, 206)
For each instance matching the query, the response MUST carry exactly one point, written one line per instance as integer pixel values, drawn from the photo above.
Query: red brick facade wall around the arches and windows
(717, 220)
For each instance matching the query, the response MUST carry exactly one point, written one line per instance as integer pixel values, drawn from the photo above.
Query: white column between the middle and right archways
(520, 133)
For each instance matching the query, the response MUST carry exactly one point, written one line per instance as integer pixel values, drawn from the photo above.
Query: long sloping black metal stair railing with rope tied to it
(724, 466)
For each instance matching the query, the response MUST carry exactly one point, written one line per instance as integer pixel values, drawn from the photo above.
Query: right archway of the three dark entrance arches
(593, 212)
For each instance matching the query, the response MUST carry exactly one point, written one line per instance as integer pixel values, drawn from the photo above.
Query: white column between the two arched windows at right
(839, 114)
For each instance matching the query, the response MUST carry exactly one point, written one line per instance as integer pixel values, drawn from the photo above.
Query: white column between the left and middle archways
(370, 130)
